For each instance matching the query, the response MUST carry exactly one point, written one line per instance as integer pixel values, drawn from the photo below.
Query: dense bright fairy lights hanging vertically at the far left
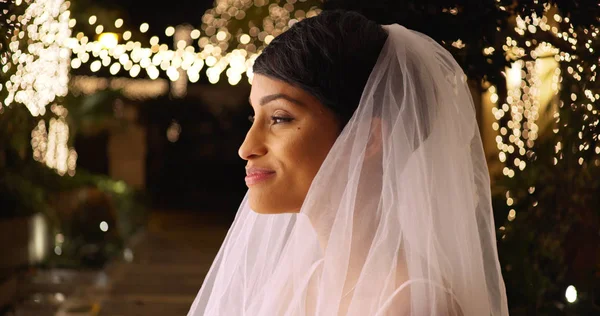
(40, 64)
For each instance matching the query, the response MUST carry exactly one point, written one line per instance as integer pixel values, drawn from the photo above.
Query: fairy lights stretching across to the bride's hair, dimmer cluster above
(214, 40)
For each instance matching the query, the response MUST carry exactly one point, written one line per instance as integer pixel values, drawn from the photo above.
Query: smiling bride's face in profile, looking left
(290, 137)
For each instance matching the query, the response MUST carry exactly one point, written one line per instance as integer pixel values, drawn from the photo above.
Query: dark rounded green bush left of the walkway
(84, 201)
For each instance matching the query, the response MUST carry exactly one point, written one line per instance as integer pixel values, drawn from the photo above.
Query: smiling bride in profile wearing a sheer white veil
(368, 187)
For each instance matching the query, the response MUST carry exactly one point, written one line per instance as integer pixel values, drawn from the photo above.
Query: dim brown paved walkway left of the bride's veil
(159, 275)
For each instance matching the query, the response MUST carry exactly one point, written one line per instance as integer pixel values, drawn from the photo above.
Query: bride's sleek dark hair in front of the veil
(329, 56)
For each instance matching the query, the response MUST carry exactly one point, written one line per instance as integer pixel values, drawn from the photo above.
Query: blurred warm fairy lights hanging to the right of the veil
(517, 116)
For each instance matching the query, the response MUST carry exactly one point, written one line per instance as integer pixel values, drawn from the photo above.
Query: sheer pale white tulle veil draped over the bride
(398, 220)
